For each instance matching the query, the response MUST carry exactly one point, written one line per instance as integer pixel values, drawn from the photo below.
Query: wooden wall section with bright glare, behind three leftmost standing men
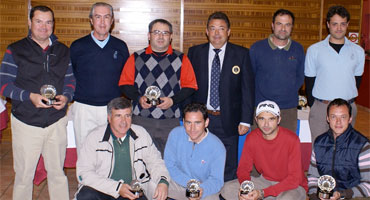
(131, 19)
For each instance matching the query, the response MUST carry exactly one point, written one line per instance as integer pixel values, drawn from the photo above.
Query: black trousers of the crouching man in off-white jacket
(89, 193)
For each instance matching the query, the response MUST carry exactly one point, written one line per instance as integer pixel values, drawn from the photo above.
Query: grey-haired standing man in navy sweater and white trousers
(97, 61)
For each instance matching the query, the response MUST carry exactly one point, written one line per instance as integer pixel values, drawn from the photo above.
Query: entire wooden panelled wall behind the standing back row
(250, 19)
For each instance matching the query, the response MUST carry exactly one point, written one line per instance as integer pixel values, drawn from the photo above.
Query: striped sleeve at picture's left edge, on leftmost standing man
(8, 74)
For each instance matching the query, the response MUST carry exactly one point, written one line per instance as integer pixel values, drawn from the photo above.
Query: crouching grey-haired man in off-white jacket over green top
(112, 156)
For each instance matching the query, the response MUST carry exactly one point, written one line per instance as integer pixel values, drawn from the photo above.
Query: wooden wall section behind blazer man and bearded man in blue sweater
(251, 20)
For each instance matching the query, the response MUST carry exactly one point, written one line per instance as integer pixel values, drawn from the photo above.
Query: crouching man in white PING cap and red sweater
(276, 154)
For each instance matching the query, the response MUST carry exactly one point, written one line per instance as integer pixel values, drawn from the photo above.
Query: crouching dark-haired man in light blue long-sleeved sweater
(192, 152)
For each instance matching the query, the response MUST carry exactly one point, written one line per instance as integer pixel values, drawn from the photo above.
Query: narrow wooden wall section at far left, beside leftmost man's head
(13, 22)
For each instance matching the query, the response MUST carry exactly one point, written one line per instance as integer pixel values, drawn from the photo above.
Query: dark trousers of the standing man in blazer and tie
(230, 143)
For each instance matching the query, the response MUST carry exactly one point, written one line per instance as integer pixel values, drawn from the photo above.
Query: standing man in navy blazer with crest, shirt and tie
(226, 85)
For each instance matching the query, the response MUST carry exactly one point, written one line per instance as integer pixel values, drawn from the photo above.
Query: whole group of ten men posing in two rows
(215, 89)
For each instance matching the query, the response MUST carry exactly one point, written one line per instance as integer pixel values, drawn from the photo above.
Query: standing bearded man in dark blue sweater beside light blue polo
(278, 65)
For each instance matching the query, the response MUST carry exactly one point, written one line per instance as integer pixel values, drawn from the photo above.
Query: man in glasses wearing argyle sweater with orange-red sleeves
(161, 66)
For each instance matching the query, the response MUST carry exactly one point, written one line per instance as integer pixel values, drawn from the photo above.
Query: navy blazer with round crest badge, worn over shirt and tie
(236, 87)
